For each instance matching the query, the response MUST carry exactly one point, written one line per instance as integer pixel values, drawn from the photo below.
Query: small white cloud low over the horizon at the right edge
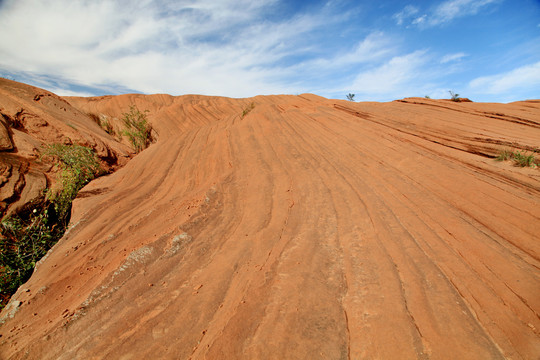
(520, 80)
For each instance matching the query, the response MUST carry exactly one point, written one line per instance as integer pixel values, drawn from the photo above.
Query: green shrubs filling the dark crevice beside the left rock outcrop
(27, 236)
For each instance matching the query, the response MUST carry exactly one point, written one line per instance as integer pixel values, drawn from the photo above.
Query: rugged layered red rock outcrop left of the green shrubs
(31, 118)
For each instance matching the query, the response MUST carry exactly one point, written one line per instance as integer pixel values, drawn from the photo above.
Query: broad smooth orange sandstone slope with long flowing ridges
(305, 229)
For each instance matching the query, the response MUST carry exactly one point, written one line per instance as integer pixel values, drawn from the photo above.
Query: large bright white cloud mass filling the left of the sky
(214, 47)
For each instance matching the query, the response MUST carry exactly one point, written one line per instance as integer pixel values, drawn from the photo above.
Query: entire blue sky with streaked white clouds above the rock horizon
(486, 50)
